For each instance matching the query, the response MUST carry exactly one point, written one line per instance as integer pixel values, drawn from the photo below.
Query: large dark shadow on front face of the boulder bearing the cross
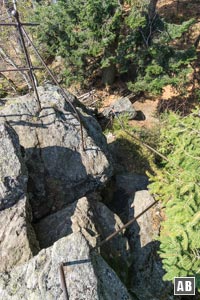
(57, 177)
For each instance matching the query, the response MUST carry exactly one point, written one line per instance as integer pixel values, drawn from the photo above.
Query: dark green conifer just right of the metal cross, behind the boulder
(84, 33)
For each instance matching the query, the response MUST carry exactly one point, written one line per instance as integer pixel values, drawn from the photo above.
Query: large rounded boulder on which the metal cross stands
(60, 171)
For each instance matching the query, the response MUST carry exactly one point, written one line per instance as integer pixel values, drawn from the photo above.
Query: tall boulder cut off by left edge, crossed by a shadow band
(17, 239)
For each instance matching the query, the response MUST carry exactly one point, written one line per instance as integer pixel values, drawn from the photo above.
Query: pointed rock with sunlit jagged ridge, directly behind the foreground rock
(96, 222)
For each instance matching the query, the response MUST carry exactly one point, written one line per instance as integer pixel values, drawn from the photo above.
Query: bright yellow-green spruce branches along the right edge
(177, 184)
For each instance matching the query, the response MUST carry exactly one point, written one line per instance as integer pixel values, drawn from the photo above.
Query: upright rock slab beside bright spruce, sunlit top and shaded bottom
(146, 269)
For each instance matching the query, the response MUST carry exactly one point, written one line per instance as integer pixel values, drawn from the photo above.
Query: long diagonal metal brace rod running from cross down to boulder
(57, 83)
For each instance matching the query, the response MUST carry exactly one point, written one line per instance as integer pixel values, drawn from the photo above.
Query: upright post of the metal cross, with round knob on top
(28, 60)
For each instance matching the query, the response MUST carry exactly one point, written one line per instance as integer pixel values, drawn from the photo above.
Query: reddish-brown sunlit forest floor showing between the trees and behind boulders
(178, 11)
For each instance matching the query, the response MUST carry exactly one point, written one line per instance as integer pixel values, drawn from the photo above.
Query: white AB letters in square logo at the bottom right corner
(184, 286)
